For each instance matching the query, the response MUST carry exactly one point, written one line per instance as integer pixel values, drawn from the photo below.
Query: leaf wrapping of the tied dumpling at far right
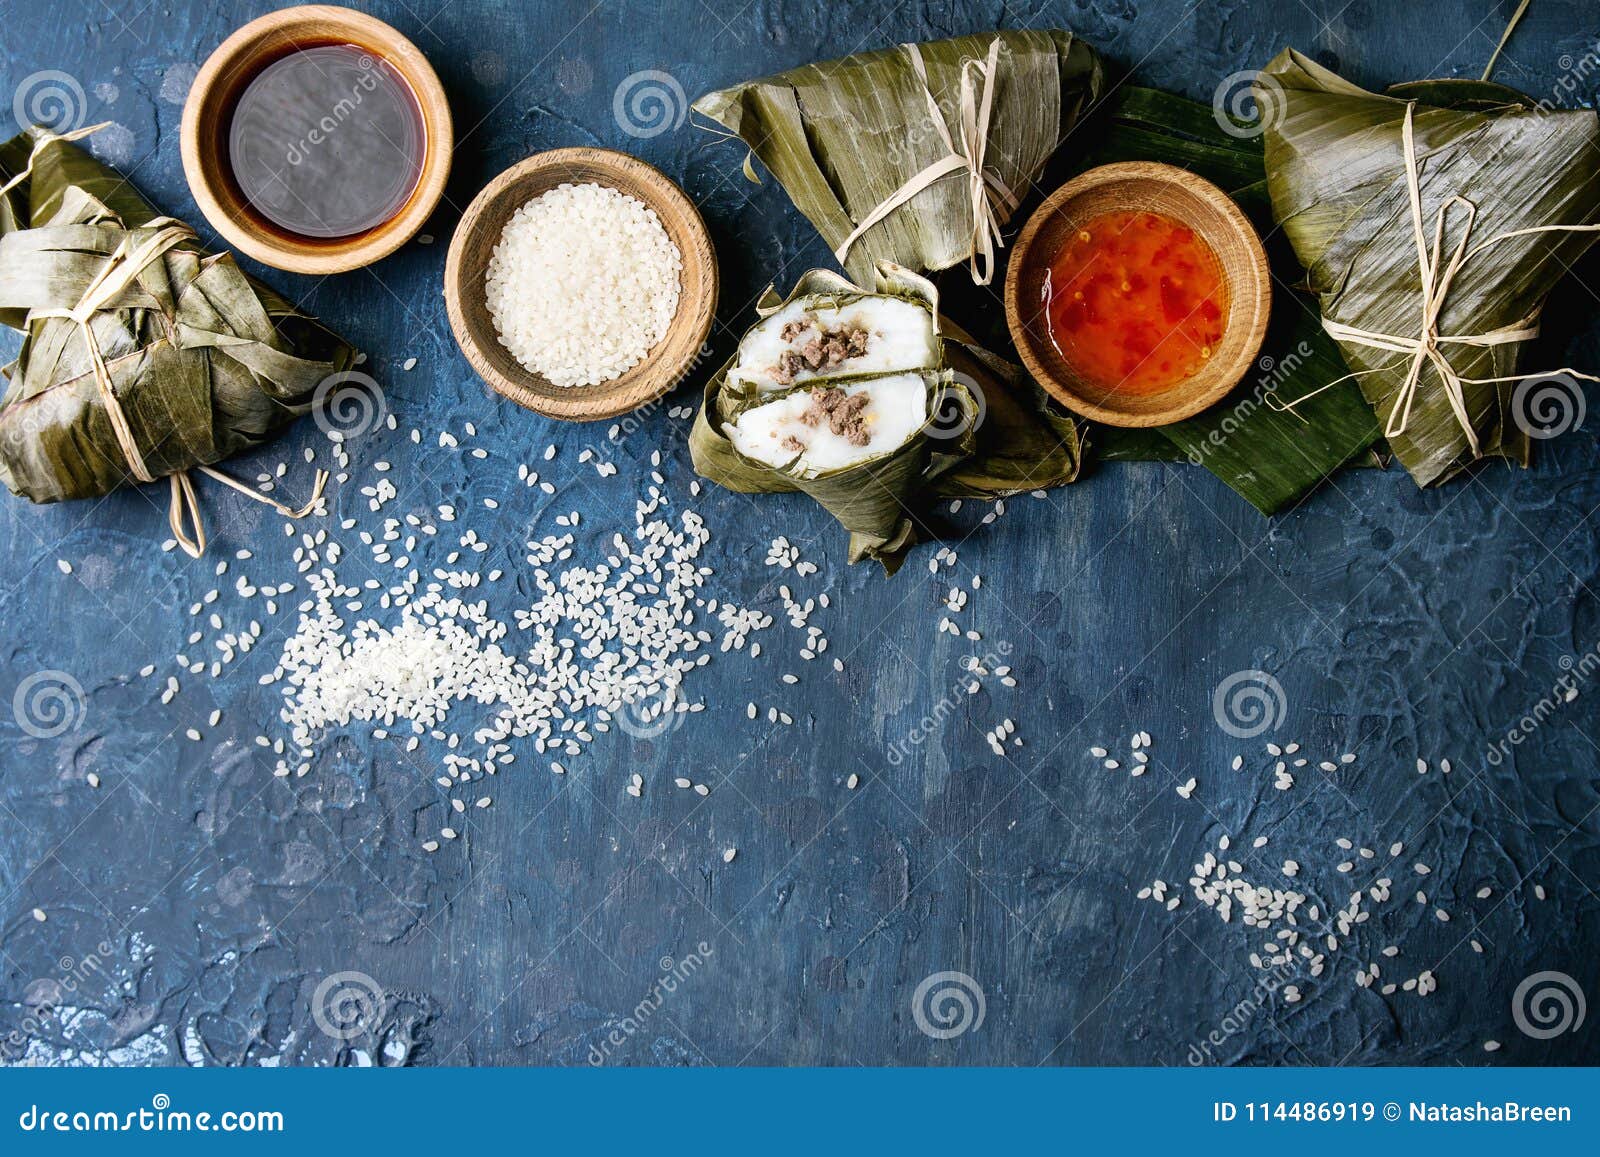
(1338, 185)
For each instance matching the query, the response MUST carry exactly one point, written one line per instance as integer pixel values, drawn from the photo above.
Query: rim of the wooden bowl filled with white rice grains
(650, 378)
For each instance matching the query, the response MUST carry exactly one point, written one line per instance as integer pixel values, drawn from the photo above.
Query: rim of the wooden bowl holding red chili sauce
(1250, 303)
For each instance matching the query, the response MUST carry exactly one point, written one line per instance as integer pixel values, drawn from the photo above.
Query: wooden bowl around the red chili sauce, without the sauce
(1174, 193)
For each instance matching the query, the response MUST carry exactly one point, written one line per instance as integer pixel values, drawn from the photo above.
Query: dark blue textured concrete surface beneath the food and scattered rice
(194, 903)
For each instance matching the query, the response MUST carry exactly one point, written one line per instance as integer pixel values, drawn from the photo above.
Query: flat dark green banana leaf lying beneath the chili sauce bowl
(1270, 457)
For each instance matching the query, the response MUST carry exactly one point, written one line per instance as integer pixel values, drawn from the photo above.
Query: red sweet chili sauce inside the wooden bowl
(1137, 302)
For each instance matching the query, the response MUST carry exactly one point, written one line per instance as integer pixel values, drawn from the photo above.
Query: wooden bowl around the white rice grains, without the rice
(668, 362)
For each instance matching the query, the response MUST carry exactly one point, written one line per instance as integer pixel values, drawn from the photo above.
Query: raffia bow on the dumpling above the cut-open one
(988, 194)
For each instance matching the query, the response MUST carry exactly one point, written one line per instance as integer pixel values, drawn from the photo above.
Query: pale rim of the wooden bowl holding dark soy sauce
(233, 220)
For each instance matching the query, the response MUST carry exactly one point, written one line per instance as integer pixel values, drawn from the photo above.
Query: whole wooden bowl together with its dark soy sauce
(318, 140)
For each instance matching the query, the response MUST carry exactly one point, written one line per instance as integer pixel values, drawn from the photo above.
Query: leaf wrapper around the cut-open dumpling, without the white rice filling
(991, 433)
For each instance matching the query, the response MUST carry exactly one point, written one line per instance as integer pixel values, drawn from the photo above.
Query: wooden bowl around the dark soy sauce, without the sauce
(210, 106)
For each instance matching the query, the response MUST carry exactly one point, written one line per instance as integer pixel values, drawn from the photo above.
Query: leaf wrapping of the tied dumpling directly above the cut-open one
(842, 137)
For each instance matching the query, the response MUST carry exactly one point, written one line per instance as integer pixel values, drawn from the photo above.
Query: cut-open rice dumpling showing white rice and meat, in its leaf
(857, 399)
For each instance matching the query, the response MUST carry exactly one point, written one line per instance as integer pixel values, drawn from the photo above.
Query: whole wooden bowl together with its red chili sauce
(1138, 295)
